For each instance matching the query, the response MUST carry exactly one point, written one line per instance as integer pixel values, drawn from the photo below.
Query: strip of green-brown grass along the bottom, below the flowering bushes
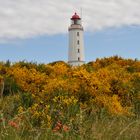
(105, 128)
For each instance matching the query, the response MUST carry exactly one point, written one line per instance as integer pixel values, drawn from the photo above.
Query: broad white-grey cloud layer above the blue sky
(28, 18)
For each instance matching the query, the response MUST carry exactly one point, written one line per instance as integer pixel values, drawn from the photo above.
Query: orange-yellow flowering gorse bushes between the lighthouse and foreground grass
(60, 97)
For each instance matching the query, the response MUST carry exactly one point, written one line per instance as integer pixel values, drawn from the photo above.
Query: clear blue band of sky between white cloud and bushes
(124, 41)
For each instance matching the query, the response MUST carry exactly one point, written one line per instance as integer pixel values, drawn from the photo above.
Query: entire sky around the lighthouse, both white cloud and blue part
(37, 30)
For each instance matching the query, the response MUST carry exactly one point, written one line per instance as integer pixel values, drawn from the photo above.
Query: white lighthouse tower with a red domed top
(76, 42)
